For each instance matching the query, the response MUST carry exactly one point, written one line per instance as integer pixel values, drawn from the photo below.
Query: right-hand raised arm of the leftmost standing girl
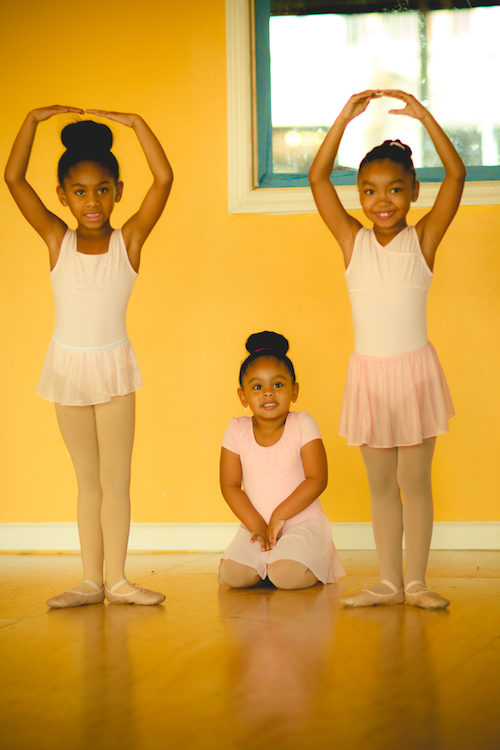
(138, 227)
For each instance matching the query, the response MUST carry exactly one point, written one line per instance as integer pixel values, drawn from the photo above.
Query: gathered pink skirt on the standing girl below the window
(395, 401)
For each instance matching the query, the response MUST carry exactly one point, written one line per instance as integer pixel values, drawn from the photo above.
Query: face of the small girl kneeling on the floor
(268, 389)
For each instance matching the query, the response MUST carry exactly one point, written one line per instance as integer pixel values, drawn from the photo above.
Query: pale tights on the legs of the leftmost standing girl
(99, 440)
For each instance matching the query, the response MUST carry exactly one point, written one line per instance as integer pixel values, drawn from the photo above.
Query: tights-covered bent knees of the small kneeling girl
(284, 574)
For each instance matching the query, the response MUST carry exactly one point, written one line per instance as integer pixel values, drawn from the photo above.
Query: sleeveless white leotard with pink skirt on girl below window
(396, 392)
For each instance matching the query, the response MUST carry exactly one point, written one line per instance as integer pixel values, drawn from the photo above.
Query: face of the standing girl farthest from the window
(90, 191)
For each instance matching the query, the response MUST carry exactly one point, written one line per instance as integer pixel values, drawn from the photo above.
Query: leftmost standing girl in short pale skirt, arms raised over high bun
(90, 371)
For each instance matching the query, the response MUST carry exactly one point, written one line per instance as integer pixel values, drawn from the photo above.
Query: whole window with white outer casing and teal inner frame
(288, 136)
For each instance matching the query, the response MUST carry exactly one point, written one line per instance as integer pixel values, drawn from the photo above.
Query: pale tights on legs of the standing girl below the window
(392, 473)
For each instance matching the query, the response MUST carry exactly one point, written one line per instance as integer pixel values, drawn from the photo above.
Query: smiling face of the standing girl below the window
(386, 191)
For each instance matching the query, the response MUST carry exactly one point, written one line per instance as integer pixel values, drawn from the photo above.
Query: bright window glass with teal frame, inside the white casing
(448, 58)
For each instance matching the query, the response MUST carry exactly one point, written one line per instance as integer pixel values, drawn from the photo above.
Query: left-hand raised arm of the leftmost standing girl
(49, 226)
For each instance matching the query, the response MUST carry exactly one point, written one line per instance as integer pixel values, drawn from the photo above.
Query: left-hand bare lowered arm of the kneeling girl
(230, 483)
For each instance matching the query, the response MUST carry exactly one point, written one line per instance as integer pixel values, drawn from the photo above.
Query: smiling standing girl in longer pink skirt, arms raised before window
(396, 400)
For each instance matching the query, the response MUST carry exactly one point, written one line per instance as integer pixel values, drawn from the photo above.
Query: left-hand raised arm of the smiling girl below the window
(343, 226)
